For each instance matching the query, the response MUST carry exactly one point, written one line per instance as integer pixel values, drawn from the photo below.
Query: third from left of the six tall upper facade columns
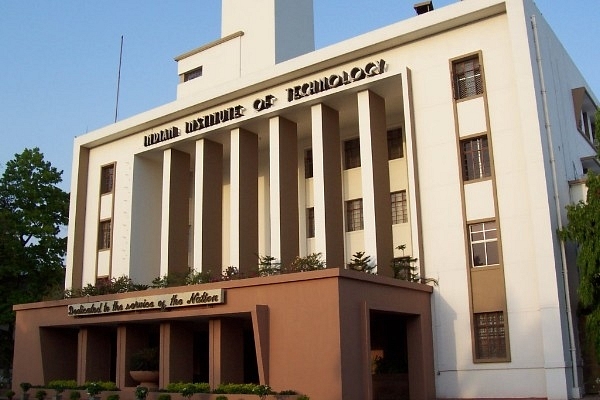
(244, 200)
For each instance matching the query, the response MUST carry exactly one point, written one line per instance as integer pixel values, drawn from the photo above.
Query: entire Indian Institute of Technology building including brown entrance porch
(455, 137)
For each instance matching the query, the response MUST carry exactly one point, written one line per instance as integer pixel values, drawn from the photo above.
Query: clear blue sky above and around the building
(59, 58)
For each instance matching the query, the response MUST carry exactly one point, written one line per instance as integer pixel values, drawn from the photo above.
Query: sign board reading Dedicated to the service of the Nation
(158, 302)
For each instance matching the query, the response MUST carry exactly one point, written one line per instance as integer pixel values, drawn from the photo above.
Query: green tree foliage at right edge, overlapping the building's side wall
(584, 229)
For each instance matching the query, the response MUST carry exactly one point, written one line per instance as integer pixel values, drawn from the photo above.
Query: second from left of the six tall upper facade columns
(208, 206)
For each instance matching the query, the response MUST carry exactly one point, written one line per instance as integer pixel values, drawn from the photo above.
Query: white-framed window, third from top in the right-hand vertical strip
(483, 238)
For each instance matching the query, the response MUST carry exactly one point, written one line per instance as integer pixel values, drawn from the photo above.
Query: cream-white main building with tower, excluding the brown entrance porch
(455, 133)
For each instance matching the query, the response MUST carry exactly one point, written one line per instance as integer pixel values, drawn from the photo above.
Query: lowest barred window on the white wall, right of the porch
(490, 336)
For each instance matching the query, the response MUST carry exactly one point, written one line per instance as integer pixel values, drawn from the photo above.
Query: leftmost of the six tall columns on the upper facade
(175, 212)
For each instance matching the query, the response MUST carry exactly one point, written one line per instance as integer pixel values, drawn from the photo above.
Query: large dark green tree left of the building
(33, 210)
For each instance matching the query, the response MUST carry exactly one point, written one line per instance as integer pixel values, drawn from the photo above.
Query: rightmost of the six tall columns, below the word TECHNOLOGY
(375, 180)
